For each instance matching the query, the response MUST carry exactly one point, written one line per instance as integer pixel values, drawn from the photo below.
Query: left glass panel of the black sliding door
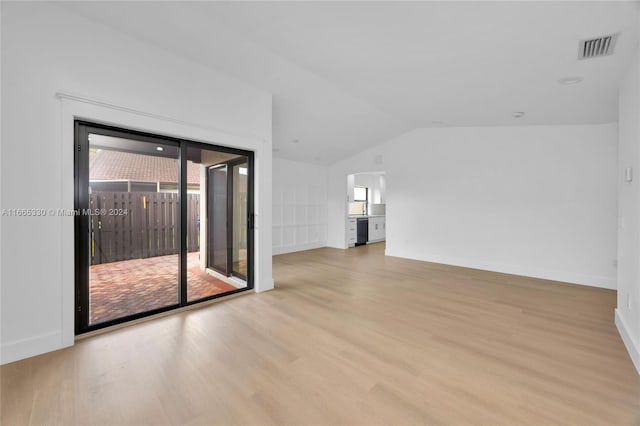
(133, 219)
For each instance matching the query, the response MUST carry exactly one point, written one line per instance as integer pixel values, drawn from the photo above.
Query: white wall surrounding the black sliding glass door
(46, 50)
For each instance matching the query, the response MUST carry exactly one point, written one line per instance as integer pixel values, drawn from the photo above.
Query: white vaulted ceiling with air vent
(349, 75)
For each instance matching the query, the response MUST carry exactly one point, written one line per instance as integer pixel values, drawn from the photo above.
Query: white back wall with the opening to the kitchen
(537, 201)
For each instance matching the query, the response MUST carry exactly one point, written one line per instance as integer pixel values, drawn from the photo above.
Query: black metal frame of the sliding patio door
(82, 259)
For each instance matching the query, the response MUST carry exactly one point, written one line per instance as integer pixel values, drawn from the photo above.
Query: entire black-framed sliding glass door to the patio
(161, 223)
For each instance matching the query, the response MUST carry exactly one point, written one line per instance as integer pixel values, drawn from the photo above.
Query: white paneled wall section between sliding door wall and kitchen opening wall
(299, 206)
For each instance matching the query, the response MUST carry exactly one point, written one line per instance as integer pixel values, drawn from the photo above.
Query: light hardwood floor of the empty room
(349, 337)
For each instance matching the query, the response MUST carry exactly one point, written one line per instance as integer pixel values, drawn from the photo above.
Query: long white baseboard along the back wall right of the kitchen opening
(554, 275)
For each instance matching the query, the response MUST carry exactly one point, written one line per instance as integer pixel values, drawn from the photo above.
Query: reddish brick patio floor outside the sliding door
(124, 288)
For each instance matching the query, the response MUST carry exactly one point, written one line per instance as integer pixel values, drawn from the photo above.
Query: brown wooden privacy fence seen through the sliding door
(134, 225)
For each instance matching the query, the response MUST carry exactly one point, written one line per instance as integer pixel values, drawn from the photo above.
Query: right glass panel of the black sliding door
(212, 206)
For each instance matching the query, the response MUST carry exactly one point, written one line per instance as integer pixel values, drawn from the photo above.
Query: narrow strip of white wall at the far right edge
(628, 311)
